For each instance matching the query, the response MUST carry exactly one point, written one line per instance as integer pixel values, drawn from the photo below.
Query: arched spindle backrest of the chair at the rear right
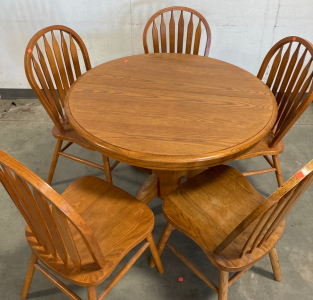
(287, 67)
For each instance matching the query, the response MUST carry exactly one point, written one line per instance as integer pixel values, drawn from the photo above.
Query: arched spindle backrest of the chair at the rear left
(50, 71)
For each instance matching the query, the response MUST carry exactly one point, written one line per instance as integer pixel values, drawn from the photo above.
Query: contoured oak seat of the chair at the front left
(118, 220)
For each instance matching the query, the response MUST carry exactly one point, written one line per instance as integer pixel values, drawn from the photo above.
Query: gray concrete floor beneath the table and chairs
(26, 135)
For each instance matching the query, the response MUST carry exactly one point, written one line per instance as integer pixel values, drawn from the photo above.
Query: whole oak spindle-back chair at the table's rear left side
(51, 78)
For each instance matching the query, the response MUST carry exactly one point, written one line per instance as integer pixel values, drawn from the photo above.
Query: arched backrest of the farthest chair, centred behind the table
(171, 45)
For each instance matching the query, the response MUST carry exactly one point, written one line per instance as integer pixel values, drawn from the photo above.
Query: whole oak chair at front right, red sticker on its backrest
(232, 223)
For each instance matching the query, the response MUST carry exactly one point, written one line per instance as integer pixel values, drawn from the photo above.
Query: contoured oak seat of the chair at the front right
(208, 207)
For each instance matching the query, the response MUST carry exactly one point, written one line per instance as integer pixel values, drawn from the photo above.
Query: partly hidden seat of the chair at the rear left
(70, 135)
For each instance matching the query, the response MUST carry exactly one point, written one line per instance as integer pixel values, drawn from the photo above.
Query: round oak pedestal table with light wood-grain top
(171, 113)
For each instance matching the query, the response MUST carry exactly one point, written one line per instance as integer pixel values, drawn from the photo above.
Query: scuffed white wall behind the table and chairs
(242, 31)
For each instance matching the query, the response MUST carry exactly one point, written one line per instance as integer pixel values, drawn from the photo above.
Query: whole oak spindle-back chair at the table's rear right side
(287, 65)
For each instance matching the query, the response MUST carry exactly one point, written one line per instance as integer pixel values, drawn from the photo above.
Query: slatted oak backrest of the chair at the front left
(48, 223)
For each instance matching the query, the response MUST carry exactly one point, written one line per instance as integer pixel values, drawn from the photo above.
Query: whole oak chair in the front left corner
(80, 235)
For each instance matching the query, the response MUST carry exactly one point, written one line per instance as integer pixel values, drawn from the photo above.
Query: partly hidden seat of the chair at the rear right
(262, 148)
